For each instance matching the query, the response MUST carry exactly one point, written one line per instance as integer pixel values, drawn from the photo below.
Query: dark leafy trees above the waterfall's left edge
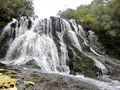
(14, 9)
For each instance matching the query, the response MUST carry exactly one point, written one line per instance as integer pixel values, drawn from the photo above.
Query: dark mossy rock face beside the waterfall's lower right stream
(80, 63)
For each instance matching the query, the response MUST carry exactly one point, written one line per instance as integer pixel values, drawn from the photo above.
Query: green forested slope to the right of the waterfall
(103, 17)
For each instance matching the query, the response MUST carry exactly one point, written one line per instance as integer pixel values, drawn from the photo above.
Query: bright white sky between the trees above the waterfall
(46, 8)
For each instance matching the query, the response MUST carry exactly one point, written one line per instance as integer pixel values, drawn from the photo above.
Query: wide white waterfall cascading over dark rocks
(52, 45)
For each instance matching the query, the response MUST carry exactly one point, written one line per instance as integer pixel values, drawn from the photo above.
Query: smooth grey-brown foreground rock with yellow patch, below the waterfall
(12, 78)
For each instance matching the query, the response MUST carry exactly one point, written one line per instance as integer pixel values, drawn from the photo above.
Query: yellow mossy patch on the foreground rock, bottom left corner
(7, 82)
